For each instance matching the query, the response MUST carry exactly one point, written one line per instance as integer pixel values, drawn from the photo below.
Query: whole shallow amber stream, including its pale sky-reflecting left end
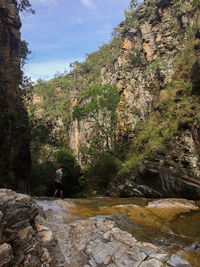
(173, 227)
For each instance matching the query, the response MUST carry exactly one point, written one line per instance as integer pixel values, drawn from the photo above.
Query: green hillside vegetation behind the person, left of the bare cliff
(50, 117)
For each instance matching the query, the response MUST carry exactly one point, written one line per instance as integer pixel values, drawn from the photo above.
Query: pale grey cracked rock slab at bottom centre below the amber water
(101, 242)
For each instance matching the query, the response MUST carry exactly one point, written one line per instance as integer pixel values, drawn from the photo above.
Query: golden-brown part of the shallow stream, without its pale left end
(178, 223)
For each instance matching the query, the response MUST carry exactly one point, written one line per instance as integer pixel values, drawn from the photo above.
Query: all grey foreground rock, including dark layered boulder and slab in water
(32, 236)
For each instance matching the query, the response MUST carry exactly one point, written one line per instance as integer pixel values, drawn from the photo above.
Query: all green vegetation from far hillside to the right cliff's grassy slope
(108, 151)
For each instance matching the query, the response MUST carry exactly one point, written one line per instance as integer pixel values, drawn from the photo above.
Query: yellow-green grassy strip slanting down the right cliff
(176, 107)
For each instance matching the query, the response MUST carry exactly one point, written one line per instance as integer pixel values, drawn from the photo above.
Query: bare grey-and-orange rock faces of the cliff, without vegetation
(149, 43)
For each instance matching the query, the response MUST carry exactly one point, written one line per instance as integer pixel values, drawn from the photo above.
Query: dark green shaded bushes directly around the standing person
(43, 173)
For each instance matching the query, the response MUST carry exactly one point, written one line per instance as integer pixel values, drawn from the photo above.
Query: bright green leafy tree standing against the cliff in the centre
(99, 104)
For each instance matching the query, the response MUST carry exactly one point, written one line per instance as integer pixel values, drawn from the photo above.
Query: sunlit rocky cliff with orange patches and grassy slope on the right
(155, 66)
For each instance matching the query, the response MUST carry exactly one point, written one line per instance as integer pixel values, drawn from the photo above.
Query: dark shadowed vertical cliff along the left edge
(14, 147)
